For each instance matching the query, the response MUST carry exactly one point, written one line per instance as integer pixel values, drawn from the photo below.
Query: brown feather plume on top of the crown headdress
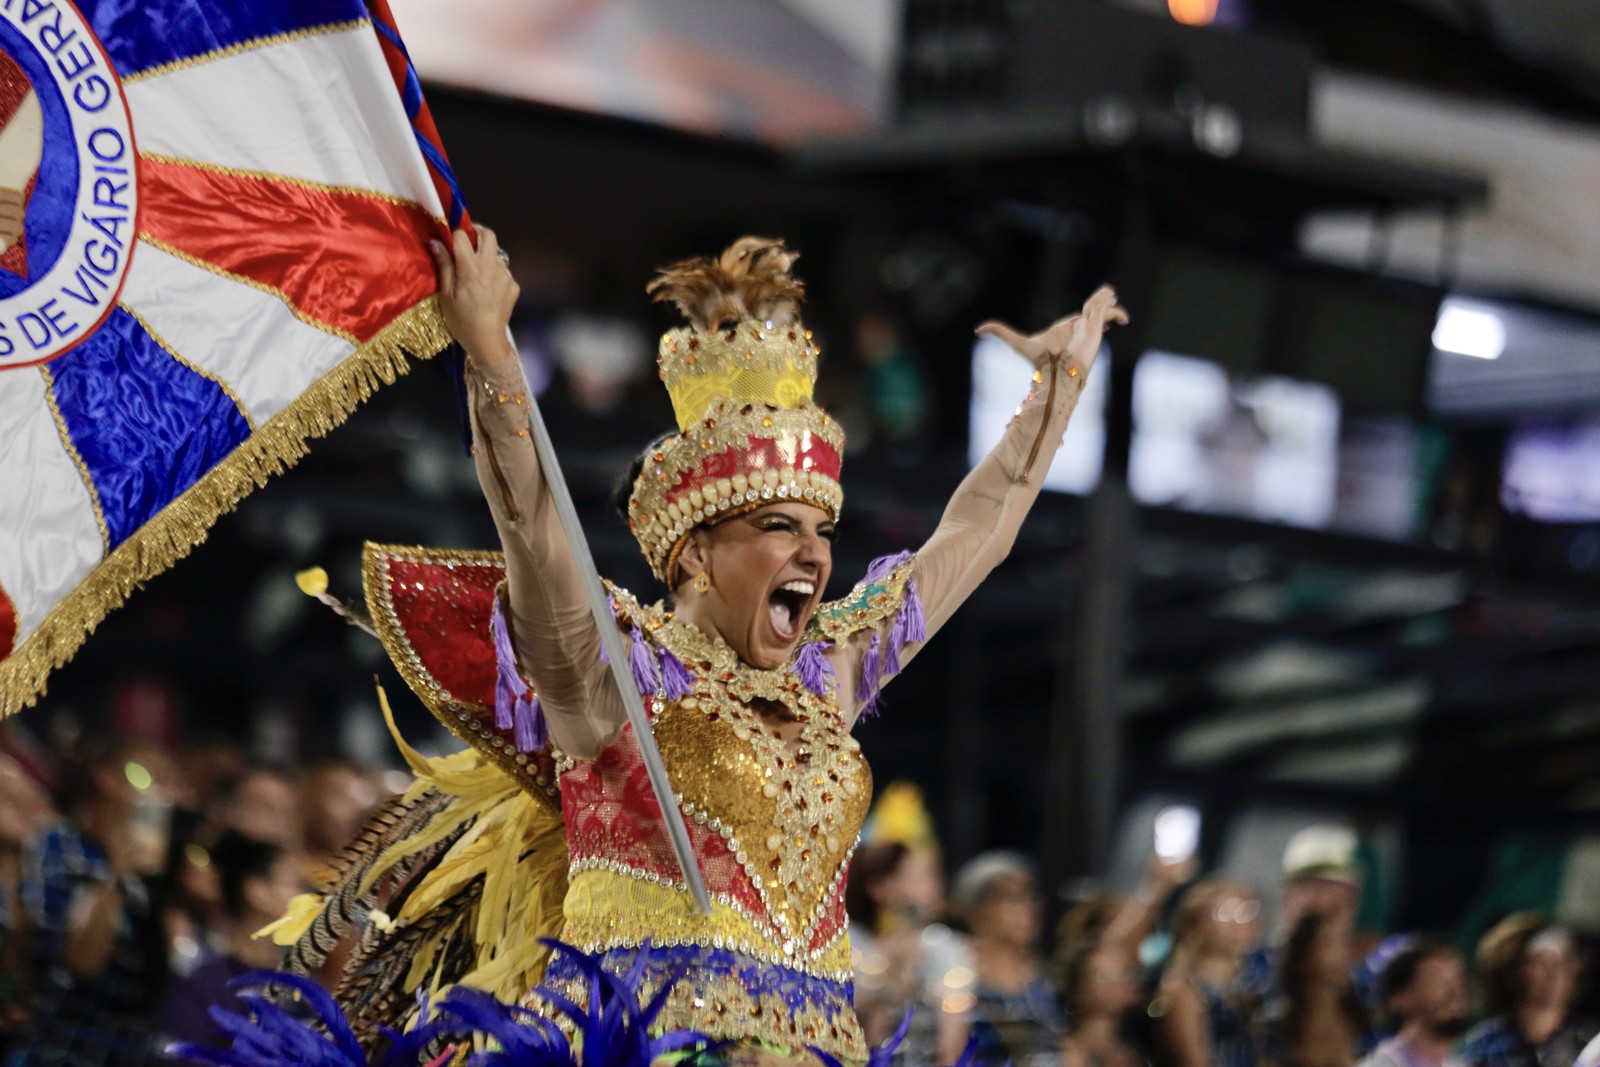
(748, 281)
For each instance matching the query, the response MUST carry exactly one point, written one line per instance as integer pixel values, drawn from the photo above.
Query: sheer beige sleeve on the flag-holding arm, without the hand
(551, 628)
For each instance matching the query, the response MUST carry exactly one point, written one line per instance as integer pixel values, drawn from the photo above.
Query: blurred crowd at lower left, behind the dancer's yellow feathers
(132, 882)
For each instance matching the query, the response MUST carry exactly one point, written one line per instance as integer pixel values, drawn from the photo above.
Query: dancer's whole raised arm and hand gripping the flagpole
(551, 628)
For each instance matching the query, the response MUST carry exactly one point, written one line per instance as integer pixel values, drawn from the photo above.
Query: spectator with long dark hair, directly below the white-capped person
(1322, 1021)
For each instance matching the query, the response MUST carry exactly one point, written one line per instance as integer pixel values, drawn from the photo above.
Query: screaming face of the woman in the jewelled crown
(767, 575)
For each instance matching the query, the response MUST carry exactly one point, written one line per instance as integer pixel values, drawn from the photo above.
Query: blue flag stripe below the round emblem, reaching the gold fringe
(146, 425)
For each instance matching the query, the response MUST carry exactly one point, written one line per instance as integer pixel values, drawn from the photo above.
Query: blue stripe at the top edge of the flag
(143, 34)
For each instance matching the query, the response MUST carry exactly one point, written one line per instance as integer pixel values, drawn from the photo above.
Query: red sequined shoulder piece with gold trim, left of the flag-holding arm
(431, 609)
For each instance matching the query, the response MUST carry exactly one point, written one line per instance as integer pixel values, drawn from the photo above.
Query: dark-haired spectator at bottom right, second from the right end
(1425, 993)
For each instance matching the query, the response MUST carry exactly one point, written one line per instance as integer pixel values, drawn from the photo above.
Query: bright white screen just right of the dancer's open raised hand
(1258, 449)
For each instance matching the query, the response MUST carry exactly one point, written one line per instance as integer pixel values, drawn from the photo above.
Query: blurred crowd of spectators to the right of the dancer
(1183, 972)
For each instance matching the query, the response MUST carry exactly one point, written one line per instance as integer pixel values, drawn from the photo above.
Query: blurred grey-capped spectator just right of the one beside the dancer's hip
(1017, 1015)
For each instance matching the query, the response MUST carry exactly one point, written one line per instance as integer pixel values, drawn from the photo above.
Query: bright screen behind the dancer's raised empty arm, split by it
(1001, 382)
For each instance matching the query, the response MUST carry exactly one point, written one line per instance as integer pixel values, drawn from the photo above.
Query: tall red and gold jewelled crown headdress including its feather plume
(740, 378)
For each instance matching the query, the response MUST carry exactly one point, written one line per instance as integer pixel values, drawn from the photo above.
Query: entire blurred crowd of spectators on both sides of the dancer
(134, 882)
